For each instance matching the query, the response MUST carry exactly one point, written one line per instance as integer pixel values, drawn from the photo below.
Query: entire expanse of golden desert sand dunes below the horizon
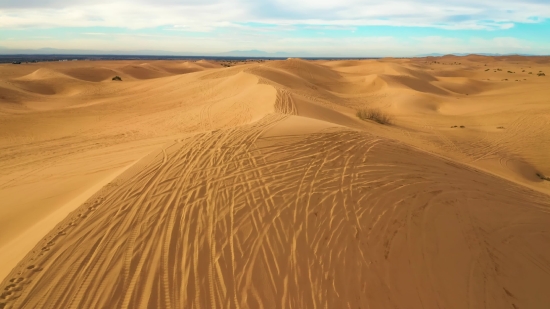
(254, 185)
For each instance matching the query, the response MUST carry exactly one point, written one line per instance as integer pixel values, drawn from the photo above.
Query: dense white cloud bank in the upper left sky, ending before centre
(124, 14)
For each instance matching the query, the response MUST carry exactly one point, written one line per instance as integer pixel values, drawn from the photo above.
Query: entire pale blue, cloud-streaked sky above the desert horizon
(358, 28)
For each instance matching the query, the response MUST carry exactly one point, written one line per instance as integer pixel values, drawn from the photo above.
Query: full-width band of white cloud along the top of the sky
(197, 15)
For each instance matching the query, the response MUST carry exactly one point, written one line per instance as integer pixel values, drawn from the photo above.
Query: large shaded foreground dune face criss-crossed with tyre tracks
(240, 218)
